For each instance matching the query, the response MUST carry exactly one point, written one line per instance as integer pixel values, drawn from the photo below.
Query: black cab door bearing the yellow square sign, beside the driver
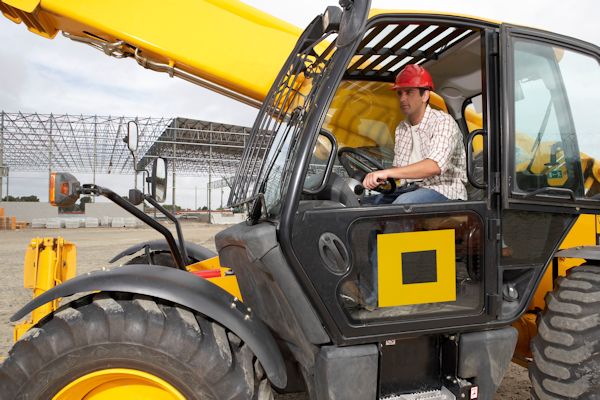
(376, 271)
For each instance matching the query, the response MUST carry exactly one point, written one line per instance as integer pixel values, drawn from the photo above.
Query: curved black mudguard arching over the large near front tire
(182, 288)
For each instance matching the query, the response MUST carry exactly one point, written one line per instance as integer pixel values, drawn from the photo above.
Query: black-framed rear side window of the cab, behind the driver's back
(550, 128)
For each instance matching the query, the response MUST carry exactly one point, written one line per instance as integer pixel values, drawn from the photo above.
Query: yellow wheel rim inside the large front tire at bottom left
(119, 383)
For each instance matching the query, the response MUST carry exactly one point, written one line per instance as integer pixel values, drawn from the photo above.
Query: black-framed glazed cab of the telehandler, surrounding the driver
(450, 276)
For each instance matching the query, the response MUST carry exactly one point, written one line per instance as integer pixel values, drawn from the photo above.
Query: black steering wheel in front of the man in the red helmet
(358, 163)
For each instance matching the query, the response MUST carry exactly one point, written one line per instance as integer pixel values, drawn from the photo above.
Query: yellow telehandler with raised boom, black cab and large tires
(462, 287)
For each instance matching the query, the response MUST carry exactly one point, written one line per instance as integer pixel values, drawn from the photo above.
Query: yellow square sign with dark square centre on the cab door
(416, 267)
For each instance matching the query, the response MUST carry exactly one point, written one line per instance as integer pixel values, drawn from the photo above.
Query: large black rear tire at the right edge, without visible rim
(566, 351)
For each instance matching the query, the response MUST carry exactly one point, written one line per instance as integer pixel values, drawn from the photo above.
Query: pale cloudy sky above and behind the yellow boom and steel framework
(60, 76)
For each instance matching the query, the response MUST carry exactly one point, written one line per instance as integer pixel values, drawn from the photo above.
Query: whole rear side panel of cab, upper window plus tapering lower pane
(551, 151)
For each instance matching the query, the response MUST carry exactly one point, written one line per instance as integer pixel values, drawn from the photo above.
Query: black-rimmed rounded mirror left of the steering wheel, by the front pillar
(321, 163)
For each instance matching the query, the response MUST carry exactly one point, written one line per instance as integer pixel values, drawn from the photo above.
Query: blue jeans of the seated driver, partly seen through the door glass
(420, 195)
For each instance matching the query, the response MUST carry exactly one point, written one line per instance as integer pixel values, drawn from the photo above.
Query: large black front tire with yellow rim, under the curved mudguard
(200, 358)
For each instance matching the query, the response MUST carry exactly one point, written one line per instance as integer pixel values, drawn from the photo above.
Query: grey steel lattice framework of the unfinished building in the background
(32, 142)
